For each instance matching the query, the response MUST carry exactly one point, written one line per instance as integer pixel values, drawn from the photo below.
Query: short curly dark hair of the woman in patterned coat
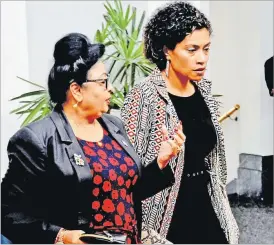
(168, 26)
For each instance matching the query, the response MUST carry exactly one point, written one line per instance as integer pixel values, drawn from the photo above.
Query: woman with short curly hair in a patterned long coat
(196, 208)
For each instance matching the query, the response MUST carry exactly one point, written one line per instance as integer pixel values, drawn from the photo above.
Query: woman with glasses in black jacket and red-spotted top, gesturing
(75, 171)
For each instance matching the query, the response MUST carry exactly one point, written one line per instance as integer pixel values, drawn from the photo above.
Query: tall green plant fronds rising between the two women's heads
(121, 34)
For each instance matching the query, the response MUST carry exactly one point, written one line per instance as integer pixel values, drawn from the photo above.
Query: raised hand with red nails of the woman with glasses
(170, 147)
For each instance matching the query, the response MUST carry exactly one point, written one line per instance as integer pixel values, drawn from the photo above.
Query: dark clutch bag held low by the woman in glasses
(104, 237)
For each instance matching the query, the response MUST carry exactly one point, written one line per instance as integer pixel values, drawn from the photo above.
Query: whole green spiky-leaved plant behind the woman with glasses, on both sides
(120, 33)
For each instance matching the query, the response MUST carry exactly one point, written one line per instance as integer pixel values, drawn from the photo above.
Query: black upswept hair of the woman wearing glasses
(74, 55)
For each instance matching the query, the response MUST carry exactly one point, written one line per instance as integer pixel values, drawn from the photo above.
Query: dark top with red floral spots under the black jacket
(114, 174)
